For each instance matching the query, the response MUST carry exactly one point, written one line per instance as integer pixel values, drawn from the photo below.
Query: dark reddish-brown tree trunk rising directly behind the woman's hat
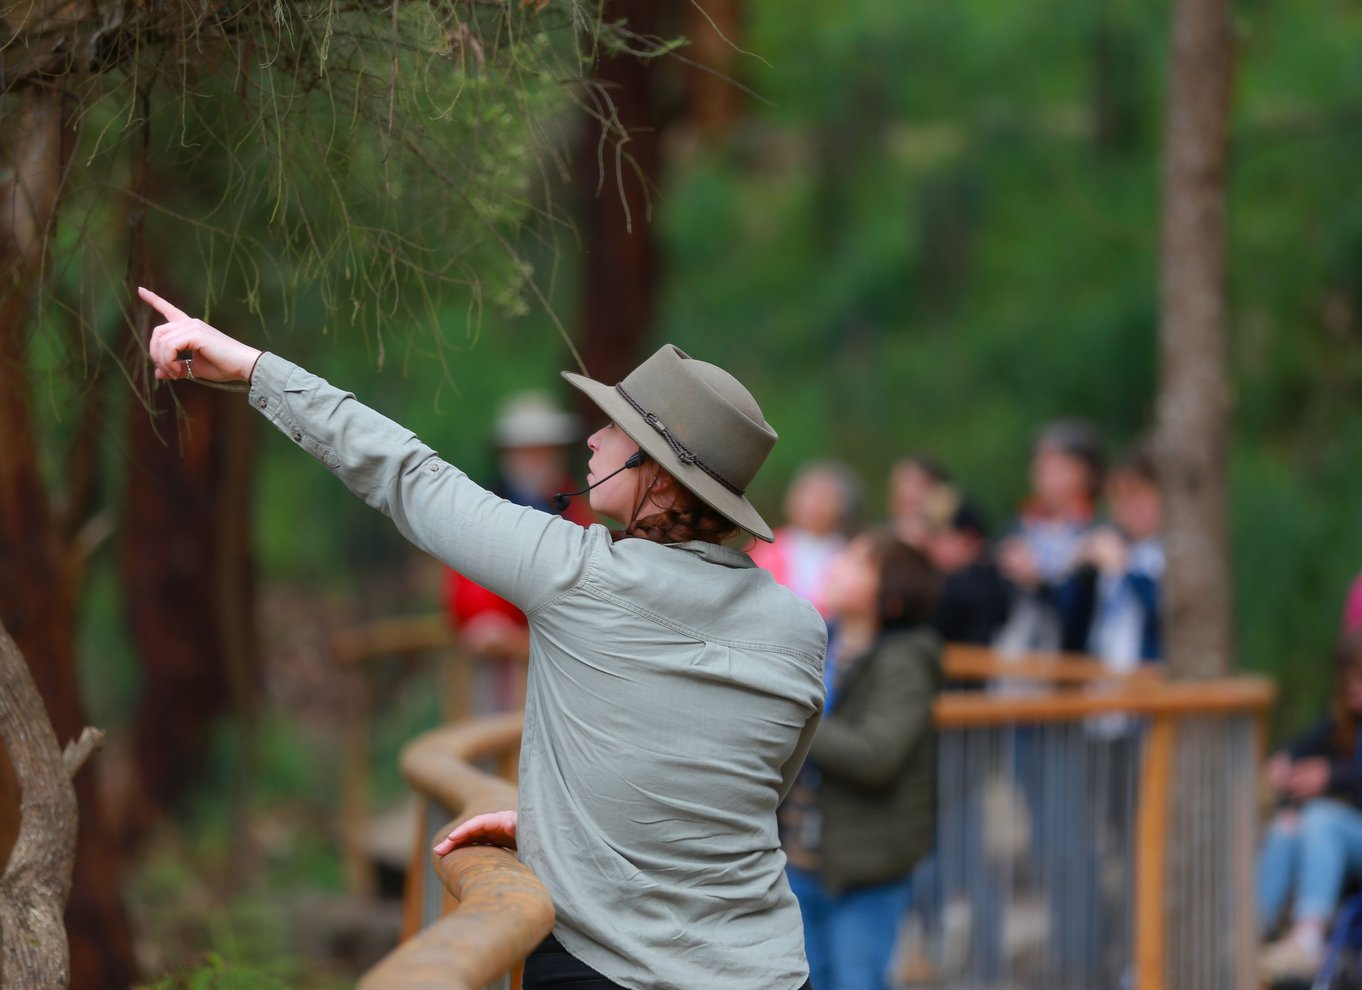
(616, 164)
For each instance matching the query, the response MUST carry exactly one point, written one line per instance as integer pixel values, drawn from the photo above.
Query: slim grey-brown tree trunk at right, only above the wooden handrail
(1194, 400)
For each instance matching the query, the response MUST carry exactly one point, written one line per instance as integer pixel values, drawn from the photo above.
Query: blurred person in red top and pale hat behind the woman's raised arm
(532, 439)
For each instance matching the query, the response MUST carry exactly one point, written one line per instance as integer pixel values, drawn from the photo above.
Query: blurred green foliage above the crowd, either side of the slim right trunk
(943, 231)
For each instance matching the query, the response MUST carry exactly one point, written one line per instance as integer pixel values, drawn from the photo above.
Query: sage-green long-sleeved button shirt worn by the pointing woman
(674, 695)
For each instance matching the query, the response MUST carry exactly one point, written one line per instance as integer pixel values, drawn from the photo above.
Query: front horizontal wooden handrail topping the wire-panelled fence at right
(958, 710)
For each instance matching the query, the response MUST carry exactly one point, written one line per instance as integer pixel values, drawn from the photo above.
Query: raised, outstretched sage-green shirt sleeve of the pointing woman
(526, 556)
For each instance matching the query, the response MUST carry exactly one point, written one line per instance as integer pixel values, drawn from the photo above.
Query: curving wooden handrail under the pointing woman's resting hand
(503, 910)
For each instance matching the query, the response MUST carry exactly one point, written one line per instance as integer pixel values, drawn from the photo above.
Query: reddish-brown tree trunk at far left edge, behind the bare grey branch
(37, 598)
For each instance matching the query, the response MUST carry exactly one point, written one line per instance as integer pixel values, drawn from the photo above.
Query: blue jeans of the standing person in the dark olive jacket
(849, 938)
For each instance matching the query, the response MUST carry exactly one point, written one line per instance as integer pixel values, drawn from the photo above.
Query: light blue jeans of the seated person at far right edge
(1315, 852)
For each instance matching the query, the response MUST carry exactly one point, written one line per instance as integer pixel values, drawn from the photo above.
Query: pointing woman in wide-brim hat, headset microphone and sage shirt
(674, 687)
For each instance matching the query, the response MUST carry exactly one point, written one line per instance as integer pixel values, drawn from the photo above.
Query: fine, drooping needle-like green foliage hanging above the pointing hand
(363, 165)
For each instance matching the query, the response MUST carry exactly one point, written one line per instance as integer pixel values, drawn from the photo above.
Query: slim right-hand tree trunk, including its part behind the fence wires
(1192, 432)
